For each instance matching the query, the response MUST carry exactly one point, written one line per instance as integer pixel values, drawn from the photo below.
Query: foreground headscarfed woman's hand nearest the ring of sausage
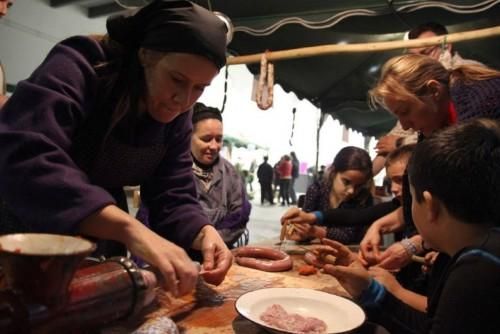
(217, 258)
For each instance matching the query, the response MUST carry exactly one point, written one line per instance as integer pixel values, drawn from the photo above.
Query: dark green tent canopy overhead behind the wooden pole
(338, 84)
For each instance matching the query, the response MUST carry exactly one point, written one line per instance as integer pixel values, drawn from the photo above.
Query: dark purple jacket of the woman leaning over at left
(42, 184)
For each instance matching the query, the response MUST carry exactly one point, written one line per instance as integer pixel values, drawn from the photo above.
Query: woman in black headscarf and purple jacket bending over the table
(103, 112)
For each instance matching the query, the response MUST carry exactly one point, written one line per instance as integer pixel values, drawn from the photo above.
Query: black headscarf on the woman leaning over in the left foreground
(172, 26)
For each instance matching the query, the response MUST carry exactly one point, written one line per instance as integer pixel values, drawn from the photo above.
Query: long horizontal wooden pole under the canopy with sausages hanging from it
(321, 50)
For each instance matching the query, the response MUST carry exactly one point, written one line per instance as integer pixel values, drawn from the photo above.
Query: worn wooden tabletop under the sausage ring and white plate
(211, 309)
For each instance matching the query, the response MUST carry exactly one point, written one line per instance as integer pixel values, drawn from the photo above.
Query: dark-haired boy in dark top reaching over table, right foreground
(455, 181)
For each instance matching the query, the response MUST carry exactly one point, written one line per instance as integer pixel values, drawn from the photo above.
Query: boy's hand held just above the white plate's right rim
(353, 278)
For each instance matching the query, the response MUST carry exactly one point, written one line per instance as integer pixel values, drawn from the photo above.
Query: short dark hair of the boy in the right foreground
(460, 166)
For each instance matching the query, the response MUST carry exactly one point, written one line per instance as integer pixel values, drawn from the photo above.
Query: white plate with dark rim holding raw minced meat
(339, 314)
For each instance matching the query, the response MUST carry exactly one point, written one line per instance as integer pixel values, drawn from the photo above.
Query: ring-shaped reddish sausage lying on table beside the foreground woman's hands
(263, 258)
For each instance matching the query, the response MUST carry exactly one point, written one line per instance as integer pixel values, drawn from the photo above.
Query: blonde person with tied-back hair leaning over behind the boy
(427, 97)
